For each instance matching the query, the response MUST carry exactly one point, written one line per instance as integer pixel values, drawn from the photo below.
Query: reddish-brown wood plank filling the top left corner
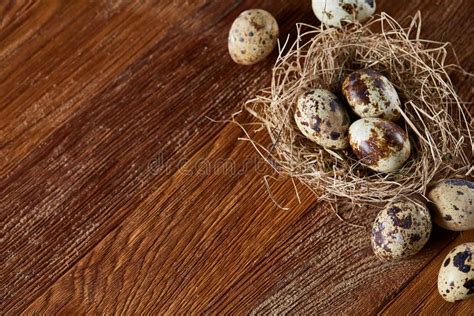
(71, 62)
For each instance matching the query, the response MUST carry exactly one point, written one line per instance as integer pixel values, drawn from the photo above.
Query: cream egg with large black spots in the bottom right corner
(456, 275)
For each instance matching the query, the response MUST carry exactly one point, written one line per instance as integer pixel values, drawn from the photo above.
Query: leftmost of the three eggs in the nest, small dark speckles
(323, 119)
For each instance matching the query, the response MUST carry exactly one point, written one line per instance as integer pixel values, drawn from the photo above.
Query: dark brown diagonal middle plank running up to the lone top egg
(83, 178)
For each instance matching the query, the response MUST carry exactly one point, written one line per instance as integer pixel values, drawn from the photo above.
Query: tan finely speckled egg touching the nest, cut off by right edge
(453, 204)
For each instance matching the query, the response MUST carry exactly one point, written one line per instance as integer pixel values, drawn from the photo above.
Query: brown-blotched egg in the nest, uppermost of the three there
(371, 94)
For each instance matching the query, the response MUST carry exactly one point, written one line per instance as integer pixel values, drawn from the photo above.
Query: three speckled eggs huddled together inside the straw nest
(375, 138)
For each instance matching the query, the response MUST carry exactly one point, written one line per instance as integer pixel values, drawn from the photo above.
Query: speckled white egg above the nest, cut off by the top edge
(338, 12)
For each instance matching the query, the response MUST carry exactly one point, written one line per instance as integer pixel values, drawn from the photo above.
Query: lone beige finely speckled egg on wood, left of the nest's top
(252, 37)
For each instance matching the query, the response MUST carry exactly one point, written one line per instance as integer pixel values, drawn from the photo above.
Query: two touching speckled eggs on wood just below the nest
(403, 228)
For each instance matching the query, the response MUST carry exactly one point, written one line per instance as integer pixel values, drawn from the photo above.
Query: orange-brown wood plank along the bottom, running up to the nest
(234, 256)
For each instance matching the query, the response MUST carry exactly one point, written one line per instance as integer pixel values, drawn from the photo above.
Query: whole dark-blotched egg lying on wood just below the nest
(400, 230)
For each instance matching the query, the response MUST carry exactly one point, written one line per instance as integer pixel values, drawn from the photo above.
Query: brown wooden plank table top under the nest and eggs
(119, 195)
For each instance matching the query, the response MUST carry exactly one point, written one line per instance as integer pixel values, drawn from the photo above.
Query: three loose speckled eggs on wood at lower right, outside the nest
(402, 229)
